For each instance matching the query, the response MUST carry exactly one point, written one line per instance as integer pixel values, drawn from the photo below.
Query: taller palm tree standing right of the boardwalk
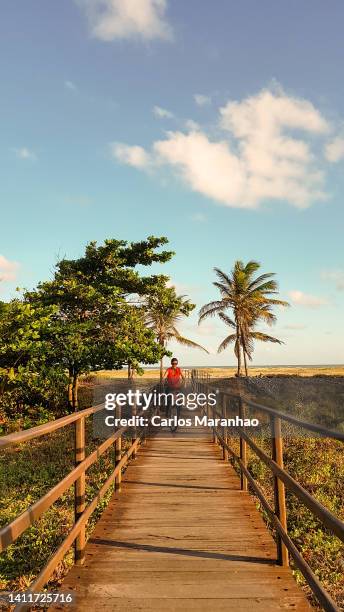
(249, 298)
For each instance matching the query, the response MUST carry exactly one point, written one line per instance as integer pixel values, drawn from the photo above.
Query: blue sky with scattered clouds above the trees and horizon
(219, 125)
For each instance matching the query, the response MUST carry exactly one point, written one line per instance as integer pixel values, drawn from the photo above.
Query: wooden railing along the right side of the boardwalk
(282, 479)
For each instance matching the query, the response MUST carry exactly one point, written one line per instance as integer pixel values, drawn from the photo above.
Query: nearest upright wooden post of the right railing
(279, 489)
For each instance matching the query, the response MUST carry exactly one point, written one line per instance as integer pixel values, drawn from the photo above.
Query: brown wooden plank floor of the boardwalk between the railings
(181, 535)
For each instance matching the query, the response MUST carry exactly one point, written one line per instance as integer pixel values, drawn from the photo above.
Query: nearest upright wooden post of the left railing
(79, 490)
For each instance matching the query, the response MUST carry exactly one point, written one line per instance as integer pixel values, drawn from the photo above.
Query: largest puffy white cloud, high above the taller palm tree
(265, 153)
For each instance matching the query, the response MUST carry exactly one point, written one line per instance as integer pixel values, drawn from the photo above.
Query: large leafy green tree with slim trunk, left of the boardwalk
(97, 323)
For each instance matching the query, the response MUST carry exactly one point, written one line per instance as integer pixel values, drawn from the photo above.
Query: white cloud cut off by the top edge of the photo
(123, 19)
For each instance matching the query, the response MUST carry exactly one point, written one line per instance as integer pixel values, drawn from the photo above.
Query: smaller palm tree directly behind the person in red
(163, 317)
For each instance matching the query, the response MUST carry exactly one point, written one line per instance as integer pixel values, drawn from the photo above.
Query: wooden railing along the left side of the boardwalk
(76, 476)
